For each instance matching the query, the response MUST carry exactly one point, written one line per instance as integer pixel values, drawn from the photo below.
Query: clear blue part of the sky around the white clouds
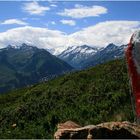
(117, 10)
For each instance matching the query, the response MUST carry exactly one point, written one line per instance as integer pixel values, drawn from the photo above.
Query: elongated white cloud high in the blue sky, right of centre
(81, 11)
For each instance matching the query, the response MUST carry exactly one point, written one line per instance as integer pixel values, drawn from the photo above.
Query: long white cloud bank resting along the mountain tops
(100, 35)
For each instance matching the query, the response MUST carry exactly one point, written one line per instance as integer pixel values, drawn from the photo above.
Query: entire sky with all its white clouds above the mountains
(92, 22)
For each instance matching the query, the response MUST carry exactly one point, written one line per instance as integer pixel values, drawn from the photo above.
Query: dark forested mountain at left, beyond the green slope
(24, 65)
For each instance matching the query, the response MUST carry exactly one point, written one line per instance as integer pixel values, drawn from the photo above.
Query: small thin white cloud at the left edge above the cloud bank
(14, 21)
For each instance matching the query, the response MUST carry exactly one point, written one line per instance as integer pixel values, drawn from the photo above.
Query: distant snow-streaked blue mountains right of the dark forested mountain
(85, 56)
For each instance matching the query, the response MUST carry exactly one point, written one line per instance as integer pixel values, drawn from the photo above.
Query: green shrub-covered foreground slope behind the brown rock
(92, 96)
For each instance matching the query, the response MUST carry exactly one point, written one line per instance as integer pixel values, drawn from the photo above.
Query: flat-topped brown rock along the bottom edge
(108, 130)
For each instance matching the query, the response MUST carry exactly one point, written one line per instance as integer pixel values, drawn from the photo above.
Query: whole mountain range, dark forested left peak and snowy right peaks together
(25, 65)
